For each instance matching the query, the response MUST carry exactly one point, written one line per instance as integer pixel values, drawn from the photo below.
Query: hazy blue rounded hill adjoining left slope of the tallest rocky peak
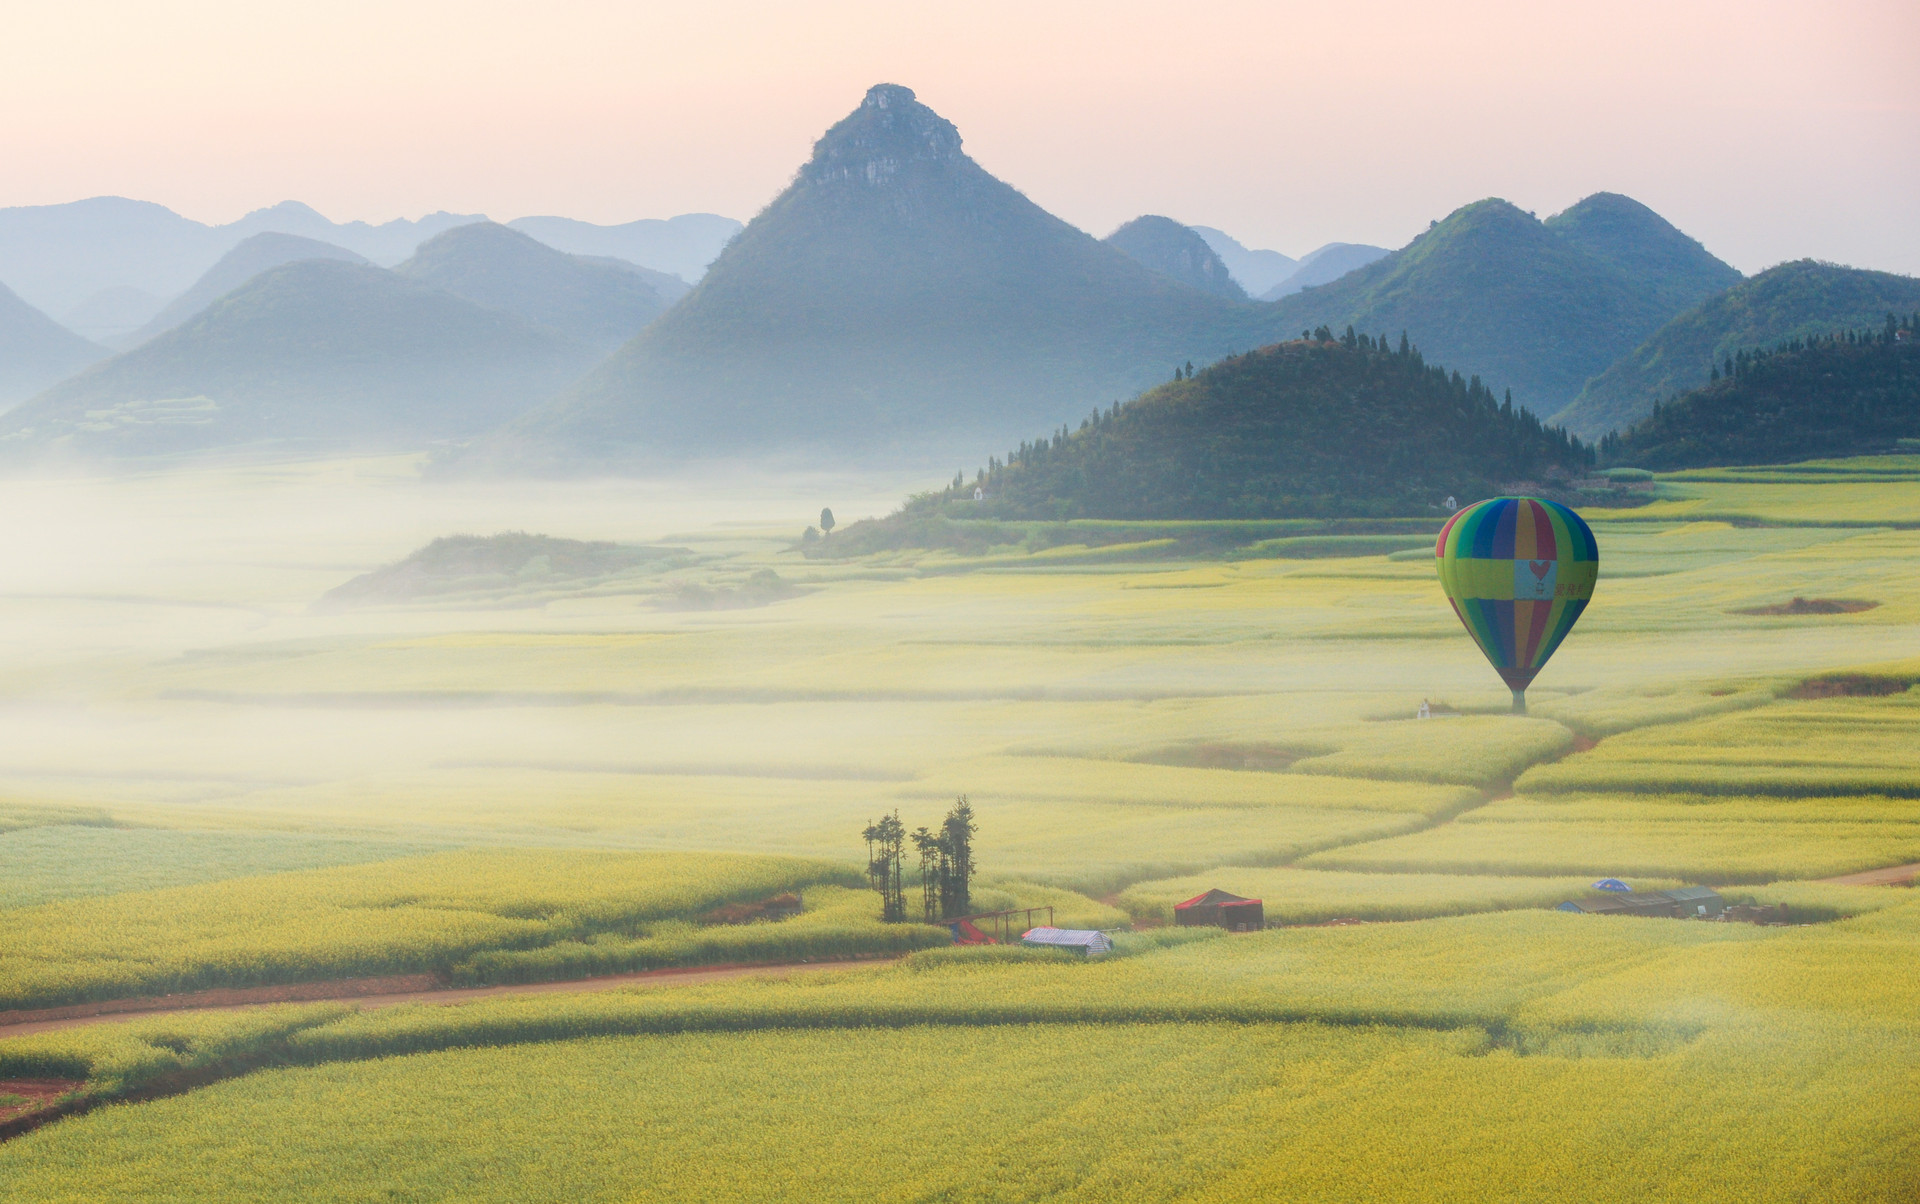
(600, 302)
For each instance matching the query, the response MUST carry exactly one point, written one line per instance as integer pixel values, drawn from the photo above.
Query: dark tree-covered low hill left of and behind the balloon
(1303, 429)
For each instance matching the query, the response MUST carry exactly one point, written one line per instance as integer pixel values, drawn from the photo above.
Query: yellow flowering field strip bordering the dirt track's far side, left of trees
(427, 913)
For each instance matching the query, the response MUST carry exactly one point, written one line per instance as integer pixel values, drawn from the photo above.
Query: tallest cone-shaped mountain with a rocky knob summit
(894, 297)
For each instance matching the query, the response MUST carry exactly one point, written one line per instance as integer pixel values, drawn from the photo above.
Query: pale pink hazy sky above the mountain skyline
(1769, 132)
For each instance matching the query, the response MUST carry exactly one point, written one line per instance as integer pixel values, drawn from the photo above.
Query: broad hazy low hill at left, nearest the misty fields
(318, 354)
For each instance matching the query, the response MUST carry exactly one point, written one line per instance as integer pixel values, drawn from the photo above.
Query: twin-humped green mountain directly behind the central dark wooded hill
(1535, 306)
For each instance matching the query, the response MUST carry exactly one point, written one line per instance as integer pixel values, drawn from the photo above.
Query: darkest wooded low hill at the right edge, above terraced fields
(1842, 395)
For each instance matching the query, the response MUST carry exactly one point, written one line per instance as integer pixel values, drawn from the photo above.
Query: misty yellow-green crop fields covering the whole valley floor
(212, 783)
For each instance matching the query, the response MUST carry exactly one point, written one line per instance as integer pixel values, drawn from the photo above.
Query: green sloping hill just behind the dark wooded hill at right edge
(1790, 302)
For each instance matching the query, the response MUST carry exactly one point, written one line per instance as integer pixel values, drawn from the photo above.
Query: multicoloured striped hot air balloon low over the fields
(1518, 571)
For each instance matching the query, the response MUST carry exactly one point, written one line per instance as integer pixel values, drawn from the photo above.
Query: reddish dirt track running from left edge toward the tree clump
(387, 994)
